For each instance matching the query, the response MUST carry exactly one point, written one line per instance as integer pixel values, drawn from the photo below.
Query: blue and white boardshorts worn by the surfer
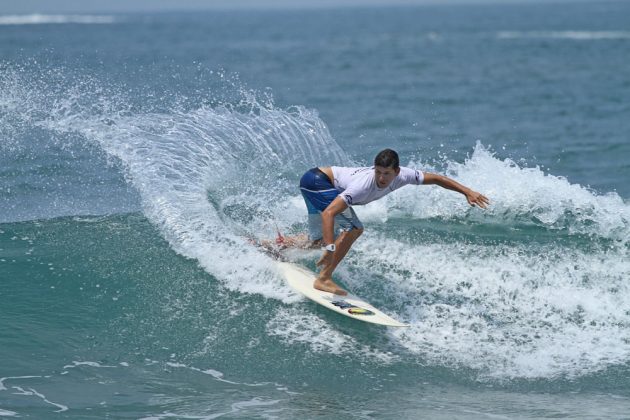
(318, 193)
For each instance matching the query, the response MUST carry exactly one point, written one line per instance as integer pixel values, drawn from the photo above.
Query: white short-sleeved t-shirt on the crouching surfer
(358, 186)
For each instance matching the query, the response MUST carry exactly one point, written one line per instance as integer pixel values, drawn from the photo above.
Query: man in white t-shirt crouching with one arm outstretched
(330, 193)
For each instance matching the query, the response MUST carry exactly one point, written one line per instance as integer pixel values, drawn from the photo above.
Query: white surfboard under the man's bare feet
(301, 280)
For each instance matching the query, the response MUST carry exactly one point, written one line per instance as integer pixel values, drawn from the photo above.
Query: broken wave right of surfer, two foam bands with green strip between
(535, 288)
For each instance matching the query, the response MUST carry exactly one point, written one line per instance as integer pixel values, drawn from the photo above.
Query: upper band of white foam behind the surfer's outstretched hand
(519, 196)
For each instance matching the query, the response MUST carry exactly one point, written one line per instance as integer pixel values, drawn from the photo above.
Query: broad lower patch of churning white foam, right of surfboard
(507, 311)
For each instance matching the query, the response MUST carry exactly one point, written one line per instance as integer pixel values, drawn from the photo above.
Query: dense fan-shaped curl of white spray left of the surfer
(191, 167)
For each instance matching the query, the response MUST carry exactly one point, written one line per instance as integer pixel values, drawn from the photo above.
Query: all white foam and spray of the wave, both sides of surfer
(507, 310)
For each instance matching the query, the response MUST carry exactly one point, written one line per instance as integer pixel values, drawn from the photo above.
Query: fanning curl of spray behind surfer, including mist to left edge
(207, 177)
